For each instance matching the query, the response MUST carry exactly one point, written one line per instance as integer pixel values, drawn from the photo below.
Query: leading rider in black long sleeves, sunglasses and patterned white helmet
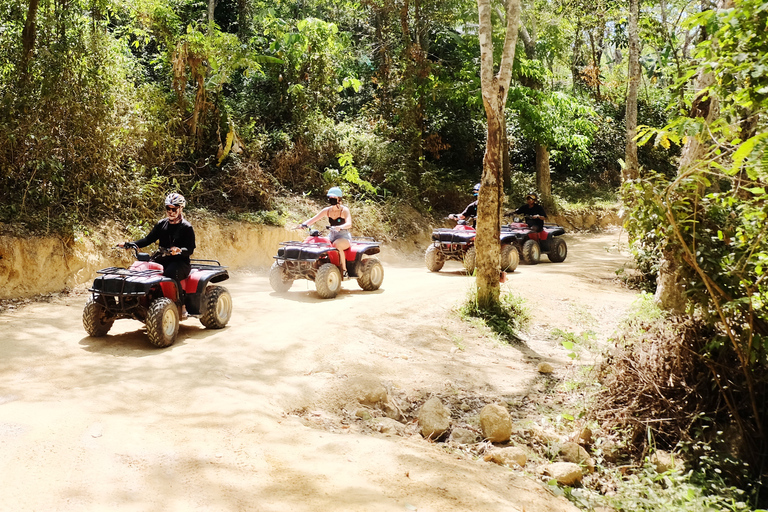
(176, 239)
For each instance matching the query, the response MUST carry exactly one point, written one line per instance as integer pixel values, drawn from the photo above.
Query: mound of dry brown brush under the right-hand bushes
(655, 386)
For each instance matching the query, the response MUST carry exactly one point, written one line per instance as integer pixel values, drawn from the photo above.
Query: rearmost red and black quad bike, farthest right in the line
(532, 244)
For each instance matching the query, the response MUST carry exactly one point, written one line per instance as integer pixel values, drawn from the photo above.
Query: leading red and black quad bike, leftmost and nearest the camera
(142, 292)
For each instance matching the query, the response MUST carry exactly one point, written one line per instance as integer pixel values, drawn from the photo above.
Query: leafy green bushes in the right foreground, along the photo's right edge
(709, 219)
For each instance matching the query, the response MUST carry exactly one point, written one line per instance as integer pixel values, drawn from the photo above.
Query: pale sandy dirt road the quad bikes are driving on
(251, 417)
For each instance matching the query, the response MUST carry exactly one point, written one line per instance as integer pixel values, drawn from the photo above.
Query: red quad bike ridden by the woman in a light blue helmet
(317, 259)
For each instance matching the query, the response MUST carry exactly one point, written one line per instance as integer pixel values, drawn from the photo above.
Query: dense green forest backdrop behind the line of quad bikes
(106, 105)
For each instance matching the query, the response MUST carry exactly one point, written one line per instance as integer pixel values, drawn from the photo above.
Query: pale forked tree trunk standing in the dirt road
(494, 88)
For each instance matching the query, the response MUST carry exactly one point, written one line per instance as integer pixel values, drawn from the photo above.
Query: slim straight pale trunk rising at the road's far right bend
(631, 169)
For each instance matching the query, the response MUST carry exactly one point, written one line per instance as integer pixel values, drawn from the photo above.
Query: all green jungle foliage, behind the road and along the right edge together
(105, 106)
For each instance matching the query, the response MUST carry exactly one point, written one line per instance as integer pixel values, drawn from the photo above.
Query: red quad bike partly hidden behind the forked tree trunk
(458, 244)
